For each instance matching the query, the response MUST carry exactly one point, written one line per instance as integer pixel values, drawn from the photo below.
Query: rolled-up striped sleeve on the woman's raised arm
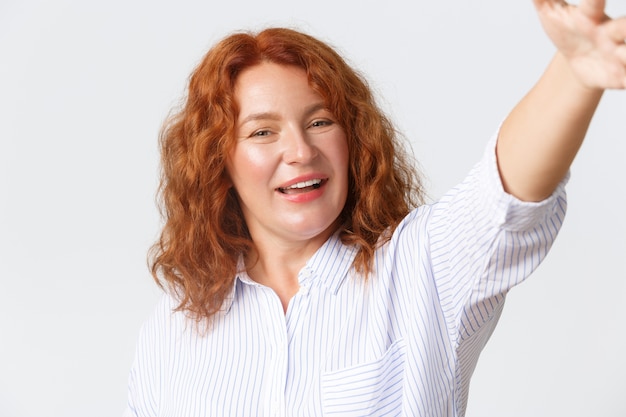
(484, 242)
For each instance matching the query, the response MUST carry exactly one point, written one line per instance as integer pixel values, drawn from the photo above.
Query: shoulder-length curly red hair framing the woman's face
(204, 234)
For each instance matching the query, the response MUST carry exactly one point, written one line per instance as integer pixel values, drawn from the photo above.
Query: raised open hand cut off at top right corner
(593, 44)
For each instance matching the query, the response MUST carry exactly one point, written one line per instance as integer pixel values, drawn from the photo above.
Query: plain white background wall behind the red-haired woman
(84, 88)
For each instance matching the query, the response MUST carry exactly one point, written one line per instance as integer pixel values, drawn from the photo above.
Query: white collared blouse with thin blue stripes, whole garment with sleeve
(403, 343)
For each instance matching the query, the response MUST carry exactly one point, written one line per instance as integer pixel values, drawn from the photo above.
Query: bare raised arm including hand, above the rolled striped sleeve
(541, 136)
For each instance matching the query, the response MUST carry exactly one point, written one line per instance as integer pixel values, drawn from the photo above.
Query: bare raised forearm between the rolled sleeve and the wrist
(542, 134)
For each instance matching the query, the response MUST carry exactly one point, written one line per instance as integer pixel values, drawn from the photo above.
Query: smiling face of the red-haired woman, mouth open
(290, 162)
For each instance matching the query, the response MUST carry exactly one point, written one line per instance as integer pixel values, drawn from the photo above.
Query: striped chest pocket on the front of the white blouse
(370, 389)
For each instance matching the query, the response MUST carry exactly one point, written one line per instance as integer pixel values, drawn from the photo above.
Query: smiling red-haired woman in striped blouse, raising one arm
(304, 276)
